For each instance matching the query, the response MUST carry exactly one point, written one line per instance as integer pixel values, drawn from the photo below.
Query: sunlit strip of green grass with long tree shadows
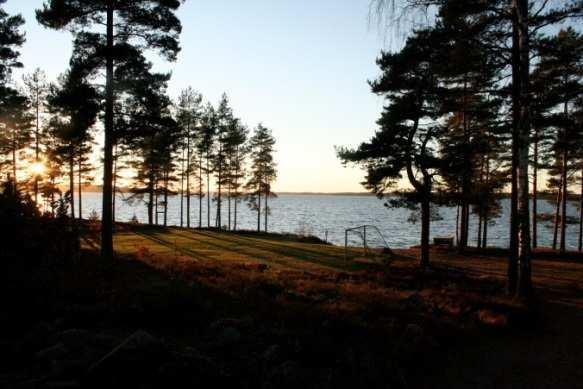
(272, 249)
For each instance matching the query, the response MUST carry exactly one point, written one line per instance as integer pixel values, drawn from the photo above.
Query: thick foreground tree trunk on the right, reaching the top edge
(524, 252)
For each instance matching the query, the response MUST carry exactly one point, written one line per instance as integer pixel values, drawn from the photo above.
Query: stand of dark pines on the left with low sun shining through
(49, 130)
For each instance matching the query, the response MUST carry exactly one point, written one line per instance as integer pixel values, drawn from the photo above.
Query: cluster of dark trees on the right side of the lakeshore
(477, 97)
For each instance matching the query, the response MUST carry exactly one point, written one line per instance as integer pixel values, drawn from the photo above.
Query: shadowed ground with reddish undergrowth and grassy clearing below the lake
(185, 307)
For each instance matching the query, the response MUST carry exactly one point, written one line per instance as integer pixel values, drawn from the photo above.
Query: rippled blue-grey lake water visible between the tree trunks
(332, 214)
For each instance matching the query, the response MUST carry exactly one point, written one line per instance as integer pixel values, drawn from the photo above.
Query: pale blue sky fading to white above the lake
(300, 67)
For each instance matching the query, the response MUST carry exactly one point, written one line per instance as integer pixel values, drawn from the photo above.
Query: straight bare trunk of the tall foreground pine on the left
(106, 223)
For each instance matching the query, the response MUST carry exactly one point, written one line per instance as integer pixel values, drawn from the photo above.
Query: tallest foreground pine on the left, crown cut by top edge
(129, 25)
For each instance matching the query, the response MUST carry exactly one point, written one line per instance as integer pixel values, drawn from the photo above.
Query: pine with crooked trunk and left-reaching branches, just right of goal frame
(403, 142)
